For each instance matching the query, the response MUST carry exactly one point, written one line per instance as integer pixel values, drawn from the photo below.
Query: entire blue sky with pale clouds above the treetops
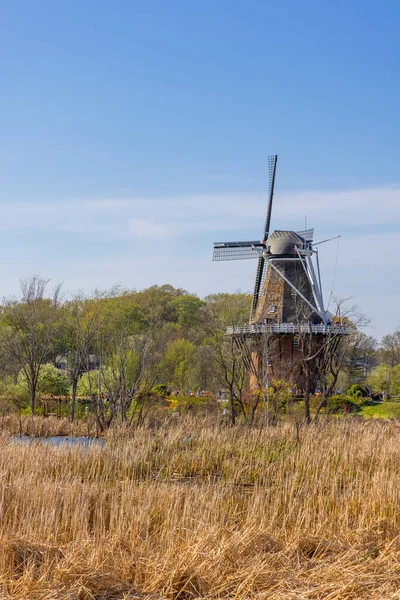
(134, 134)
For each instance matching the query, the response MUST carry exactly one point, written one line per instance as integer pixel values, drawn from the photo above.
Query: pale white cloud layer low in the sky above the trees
(369, 221)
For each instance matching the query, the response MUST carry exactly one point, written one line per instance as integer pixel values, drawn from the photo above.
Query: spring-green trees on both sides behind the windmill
(124, 350)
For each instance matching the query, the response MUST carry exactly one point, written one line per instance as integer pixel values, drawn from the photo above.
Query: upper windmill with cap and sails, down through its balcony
(287, 299)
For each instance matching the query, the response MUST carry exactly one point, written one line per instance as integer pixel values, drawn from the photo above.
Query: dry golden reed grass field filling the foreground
(196, 511)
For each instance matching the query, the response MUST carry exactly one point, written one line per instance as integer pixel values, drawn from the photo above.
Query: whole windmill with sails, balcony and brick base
(287, 306)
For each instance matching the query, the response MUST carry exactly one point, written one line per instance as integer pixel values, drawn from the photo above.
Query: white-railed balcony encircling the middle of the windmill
(288, 328)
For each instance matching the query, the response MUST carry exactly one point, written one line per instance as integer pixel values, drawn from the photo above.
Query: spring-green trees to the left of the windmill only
(139, 339)
